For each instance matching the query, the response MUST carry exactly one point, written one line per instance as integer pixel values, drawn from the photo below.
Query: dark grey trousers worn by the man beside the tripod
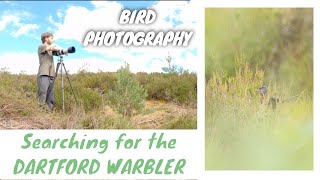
(45, 92)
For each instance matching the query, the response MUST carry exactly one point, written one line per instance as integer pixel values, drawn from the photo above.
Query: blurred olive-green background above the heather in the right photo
(280, 41)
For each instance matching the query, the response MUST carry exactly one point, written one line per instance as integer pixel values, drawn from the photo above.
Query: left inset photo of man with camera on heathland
(98, 65)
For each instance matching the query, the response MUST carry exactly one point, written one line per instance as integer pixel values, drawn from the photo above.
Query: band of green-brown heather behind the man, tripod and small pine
(91, 88)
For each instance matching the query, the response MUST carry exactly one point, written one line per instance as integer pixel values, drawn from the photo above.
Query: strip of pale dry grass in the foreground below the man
(156, 115)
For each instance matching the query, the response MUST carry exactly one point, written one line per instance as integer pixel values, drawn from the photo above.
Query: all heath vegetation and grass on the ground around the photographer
(158, 101)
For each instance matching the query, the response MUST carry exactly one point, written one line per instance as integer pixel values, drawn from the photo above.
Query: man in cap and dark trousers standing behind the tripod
(46, 72)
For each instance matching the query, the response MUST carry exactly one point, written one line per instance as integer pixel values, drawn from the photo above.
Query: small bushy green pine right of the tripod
(128, 95)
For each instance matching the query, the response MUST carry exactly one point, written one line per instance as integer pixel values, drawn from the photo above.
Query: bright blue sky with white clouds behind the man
(22, 23)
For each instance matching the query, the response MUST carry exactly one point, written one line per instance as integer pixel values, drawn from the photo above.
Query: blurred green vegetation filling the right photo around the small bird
(245, 49)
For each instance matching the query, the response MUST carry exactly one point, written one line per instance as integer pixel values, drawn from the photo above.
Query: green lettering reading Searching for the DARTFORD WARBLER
(114, 165)
